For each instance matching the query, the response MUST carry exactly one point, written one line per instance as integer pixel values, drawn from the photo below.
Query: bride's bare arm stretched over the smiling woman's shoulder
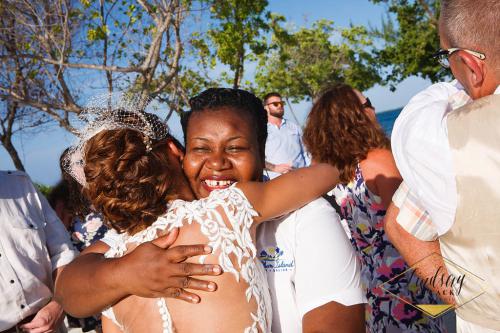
(290, 191)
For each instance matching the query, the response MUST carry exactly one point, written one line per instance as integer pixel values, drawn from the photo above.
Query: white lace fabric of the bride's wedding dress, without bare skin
(225, 218)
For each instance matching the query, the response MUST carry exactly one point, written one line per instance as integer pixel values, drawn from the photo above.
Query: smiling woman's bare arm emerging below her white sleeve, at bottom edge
(335, 317)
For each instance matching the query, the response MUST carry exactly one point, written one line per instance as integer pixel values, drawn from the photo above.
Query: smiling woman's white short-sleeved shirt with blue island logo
(309, 262)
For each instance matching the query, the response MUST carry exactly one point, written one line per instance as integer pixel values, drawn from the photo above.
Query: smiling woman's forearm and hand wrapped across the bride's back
(91, 282)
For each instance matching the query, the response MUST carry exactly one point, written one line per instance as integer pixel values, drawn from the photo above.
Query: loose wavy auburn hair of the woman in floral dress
(340, 132)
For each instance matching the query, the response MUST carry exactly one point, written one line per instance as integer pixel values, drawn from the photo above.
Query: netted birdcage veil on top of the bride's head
(111, 112)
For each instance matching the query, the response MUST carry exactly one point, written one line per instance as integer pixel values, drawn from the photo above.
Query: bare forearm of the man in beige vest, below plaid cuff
(413, 250)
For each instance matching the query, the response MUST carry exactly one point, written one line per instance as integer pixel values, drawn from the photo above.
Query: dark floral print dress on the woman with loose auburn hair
(363, 213)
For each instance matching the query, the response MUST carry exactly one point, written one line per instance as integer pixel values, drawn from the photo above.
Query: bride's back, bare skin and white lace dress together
(242, 302)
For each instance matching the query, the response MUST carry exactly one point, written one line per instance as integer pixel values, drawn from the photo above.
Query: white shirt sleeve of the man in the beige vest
(422, 153)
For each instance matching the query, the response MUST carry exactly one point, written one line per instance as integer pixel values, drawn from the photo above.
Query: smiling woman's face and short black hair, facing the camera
(224, 141)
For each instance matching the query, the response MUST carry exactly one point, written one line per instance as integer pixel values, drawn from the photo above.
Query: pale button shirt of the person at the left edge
(33, 243)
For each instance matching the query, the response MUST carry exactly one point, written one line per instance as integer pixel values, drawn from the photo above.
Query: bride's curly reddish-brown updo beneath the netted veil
(127, 184)
